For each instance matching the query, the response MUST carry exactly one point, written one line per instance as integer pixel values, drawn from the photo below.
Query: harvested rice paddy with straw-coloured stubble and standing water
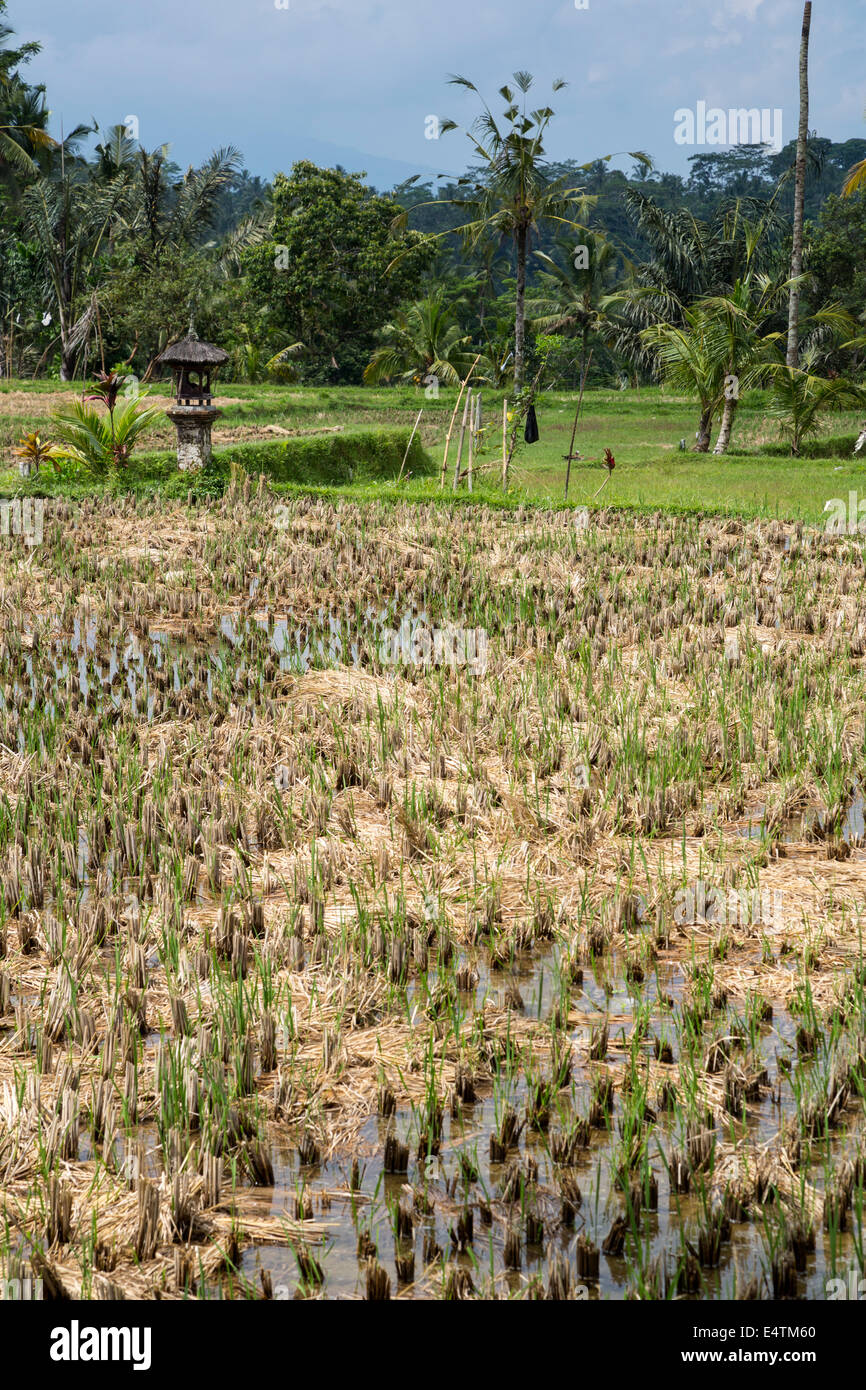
(430, 903)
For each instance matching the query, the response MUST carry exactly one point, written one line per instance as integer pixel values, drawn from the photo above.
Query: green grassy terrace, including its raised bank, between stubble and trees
(351, 440)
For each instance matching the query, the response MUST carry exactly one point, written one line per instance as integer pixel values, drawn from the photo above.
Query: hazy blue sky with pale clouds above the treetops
(355, 81)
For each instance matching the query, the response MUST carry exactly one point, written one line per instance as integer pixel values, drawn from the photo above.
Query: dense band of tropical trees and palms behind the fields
(525, 270)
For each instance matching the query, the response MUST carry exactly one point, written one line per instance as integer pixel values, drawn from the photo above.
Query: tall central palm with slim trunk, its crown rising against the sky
(514, 193)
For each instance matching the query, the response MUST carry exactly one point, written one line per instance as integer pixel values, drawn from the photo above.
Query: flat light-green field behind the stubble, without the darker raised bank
(644, 429)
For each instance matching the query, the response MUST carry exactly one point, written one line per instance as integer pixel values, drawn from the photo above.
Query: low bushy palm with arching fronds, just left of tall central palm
(423, 341)
